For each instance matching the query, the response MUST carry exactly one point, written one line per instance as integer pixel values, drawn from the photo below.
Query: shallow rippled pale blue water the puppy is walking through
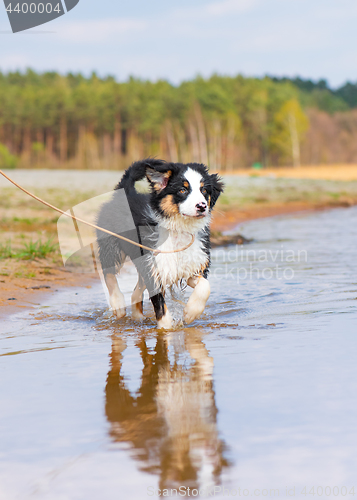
(257, 397)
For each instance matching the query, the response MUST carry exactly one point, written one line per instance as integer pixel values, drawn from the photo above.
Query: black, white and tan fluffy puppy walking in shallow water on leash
(177, 209)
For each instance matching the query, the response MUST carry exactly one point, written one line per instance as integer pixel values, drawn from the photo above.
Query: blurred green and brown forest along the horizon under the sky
(55, 121)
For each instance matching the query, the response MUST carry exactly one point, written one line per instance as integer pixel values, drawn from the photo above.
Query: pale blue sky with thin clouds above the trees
(178, 39)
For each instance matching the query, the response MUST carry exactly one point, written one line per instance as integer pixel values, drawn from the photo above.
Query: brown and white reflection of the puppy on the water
(171, 422)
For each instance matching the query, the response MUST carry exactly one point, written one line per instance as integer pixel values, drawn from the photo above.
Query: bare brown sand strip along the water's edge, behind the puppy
(18, 293)
